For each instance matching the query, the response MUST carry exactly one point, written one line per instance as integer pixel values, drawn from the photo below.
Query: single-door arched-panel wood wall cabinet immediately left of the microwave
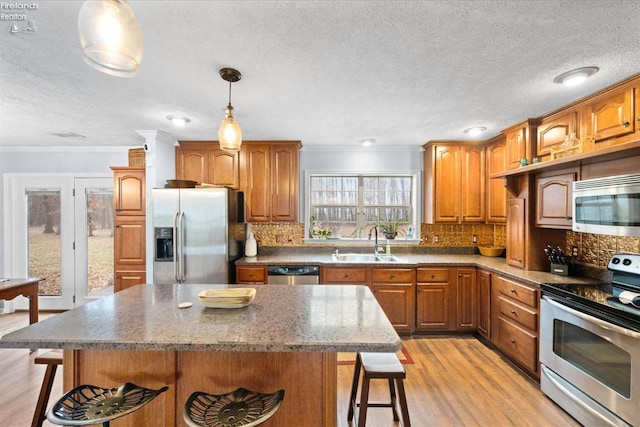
(553, 198)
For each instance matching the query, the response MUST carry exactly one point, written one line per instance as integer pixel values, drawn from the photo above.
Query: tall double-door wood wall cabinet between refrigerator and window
(269, 179)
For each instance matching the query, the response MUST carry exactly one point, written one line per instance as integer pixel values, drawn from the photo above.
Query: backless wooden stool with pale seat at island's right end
(379, 366)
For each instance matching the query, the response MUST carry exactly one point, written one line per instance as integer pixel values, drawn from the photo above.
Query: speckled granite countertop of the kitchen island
(281, 318)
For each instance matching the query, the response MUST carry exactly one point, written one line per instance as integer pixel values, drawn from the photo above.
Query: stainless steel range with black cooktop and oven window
(590, 346)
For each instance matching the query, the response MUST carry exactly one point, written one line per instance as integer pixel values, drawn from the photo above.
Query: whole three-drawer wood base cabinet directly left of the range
(515, 320)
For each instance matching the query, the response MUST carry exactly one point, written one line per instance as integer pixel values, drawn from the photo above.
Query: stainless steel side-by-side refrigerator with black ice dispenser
(198, 234)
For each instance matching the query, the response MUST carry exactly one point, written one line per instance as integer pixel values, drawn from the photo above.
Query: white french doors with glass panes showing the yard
(60, 228)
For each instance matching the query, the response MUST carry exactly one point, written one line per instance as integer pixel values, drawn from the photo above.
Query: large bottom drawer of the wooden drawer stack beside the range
(519, 343)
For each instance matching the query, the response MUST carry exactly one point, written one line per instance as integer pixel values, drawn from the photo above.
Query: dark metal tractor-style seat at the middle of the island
(239, 408)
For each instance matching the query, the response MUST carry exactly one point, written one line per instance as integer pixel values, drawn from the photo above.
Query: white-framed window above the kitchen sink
(348, 206)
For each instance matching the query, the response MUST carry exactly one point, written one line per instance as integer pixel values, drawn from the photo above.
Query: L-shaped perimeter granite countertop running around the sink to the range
(494, 264)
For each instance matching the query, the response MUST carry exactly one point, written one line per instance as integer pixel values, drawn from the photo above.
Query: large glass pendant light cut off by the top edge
(110, 36)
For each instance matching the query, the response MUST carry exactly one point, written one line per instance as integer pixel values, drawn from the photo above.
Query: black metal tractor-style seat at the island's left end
(89, 405)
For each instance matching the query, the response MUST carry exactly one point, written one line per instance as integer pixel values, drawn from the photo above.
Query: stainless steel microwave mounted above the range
(608, 205)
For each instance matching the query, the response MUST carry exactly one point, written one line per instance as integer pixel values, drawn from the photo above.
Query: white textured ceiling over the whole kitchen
(330, 73)
